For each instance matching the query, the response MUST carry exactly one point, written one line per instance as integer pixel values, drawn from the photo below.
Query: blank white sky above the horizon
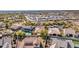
(38, 4)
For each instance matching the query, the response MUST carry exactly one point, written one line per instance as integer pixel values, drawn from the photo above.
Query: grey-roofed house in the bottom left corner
(4, 40)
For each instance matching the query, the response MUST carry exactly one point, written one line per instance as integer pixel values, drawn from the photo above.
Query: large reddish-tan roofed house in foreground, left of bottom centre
(30, 42)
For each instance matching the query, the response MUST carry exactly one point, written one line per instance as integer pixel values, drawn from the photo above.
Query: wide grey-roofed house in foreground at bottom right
(58, 43)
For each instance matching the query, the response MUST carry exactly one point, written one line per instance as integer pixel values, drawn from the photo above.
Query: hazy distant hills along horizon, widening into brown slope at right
(67, 13)
